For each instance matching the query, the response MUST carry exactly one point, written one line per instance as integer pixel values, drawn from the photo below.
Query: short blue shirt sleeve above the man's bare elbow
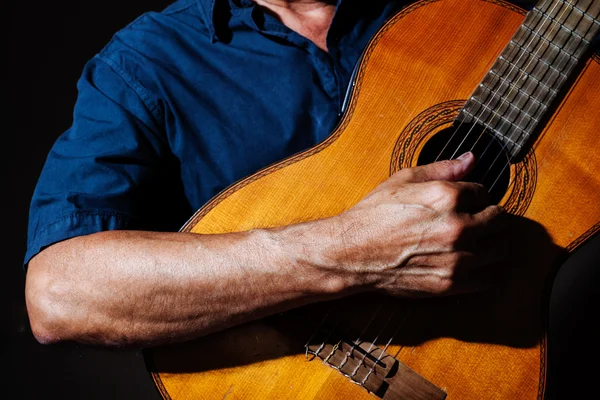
(108, 169)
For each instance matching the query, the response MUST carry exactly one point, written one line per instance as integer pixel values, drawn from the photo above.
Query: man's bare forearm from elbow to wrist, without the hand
(147, 288)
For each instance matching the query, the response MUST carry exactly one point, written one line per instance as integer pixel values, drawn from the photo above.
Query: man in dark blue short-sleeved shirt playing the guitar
(181, 104)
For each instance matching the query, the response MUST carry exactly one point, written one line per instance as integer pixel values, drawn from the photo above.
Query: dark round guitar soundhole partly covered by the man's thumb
(492, 165)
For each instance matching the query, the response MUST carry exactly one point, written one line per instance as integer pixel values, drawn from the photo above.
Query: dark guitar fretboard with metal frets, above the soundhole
(524, 81)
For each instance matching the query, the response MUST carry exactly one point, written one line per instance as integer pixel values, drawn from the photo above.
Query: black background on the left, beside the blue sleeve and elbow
(45, 46)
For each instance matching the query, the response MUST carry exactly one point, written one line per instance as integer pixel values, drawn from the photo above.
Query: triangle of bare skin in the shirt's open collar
(309, 18)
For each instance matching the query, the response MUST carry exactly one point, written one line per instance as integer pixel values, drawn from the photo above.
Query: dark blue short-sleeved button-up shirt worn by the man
(182, 103)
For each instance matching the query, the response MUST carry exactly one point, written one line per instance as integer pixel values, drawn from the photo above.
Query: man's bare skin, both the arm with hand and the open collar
(421, 233)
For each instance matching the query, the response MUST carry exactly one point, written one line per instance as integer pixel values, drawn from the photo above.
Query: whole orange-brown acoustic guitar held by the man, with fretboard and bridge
(519, 89)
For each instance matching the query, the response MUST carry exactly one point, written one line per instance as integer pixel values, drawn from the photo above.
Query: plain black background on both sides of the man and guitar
(44, 48)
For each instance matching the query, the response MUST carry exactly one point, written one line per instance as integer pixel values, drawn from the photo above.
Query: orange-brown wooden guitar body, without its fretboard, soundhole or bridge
(414, 77)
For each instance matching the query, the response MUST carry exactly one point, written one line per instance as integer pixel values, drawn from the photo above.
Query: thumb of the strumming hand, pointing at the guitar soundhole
(446, 170)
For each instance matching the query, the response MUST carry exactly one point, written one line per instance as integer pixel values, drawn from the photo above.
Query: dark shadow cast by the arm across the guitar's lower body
(512, 312)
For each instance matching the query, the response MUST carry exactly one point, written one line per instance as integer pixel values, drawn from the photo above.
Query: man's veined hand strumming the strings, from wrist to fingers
(423, 232)
